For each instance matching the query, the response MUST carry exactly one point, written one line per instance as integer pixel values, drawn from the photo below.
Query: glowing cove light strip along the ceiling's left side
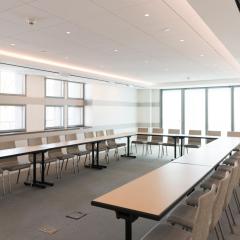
(67, 66)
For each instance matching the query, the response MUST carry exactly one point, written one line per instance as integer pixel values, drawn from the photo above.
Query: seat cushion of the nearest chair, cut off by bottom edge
(168, 232)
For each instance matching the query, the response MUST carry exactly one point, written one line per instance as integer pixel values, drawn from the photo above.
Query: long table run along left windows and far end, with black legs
(42, 149)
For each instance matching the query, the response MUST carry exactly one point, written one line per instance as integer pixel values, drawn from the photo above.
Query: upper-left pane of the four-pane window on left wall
(54, 88)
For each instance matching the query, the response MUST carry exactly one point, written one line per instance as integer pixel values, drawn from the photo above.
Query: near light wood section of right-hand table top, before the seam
(153, 194)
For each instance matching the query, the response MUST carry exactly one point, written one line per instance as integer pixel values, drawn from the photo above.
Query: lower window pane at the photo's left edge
(12, 118)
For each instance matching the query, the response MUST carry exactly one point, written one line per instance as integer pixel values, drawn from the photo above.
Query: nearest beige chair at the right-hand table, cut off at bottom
(201, 219)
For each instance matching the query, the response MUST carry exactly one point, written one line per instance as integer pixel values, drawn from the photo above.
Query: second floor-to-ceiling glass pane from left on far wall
(195, 110)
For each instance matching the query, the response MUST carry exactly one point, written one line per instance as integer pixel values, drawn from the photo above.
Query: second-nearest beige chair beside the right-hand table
(184, 214)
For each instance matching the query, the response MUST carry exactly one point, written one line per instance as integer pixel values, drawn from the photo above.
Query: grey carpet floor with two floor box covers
(24, 211)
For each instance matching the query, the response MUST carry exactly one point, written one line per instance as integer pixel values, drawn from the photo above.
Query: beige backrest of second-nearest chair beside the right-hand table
(220, 197)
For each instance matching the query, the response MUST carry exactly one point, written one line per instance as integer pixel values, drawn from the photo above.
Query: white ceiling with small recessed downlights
(146, 51)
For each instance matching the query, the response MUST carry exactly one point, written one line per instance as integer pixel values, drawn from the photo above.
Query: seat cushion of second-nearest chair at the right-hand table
(183, 215)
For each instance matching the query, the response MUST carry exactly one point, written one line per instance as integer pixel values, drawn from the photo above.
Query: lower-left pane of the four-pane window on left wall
(54, 117)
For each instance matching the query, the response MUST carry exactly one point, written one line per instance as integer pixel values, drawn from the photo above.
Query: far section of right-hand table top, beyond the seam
(211, 154)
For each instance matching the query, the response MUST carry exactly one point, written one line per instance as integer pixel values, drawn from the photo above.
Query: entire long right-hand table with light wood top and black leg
(153, 195)
